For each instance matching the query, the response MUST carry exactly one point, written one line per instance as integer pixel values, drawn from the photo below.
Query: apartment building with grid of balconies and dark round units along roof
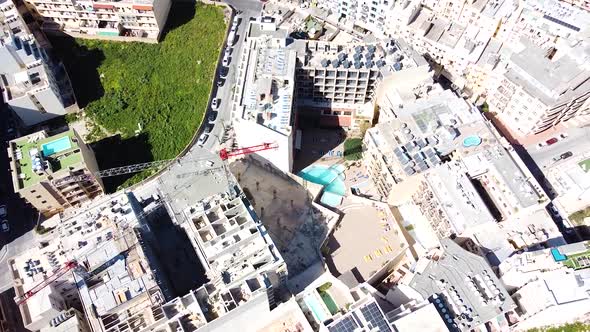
(338, 83)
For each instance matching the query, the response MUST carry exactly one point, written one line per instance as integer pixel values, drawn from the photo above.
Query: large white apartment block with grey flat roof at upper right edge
(534, 92)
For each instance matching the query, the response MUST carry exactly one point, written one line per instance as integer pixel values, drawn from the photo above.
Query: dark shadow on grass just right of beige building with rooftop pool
(116, 151)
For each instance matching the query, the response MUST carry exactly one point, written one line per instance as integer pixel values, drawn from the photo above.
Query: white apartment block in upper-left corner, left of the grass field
(35, 87)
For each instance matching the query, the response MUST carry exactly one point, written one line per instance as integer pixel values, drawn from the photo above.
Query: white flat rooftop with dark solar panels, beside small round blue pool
(425, 130)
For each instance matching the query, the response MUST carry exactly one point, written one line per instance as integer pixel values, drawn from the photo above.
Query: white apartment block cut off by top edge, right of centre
(366, 14)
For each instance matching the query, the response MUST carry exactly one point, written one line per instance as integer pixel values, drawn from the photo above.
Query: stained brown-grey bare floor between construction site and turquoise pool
(285, 208)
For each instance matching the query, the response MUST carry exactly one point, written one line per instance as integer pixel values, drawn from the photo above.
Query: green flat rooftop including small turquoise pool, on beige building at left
(37, 156)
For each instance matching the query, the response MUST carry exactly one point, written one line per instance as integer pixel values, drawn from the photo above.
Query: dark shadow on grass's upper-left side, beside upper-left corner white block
(81, 64)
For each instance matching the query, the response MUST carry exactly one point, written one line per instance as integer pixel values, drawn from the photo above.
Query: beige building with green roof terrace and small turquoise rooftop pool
(39, 160)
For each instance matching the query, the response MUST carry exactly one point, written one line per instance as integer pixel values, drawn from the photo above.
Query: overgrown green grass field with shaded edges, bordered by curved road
(157, 92)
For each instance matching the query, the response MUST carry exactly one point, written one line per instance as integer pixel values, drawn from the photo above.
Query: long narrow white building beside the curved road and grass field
(263, 100)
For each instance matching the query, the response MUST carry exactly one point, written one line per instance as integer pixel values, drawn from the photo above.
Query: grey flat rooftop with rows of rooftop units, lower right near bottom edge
(465, 284)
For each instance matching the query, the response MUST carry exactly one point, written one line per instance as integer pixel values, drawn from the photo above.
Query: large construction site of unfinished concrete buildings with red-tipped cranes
(175, 253)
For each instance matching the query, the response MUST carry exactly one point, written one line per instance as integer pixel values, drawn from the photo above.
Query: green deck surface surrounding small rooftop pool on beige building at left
(26, 164)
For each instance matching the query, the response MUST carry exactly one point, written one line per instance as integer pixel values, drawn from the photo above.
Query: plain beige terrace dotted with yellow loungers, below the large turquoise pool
(366, 239)
